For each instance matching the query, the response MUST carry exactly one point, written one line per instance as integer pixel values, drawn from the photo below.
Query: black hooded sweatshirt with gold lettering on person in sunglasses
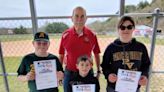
(129, 56)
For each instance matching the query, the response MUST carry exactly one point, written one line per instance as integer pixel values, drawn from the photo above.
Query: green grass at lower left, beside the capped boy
(11, 64)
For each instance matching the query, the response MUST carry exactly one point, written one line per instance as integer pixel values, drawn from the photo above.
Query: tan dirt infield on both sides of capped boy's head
(21, 48)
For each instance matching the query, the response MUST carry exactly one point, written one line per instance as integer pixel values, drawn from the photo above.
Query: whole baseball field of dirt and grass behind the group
(17, 46)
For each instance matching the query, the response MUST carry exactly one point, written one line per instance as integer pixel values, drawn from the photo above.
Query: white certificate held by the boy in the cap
(45, 74)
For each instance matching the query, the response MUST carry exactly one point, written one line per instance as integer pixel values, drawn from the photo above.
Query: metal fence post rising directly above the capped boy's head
(33, 16)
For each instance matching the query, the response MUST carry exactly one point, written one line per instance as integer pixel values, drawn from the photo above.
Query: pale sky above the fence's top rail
(20, 8)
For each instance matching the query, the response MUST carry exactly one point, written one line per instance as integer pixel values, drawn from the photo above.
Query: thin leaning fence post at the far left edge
(4, 74)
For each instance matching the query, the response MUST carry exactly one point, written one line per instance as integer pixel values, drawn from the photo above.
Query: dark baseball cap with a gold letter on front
(41, 36)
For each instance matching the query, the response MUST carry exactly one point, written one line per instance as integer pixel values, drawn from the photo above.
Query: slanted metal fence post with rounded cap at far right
(155, 24)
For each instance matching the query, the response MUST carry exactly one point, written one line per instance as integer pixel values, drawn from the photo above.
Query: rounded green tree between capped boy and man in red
(56, 27)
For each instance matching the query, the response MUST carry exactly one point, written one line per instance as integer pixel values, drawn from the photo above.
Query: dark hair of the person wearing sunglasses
(125, 18)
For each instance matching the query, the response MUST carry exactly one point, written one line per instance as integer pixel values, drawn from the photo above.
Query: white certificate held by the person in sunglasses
(127, 81)
